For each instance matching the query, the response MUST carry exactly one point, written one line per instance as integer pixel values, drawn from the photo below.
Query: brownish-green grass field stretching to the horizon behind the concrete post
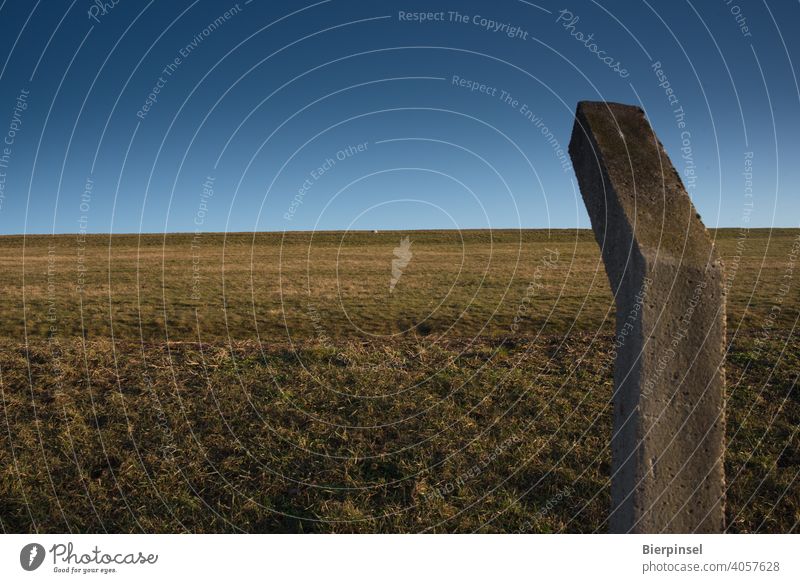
(274, 383)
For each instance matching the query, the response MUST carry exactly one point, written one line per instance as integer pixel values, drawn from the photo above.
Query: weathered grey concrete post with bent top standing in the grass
(668, 442)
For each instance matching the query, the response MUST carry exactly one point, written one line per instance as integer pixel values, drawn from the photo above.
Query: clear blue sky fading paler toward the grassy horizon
(345, 114)
